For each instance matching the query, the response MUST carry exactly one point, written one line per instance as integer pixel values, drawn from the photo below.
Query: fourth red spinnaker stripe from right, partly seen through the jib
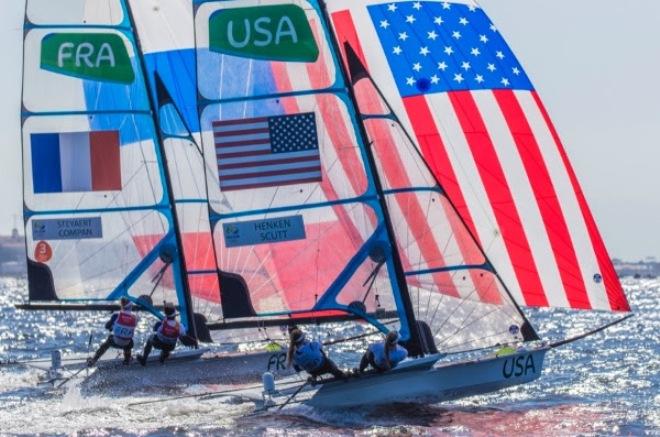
(436, 156)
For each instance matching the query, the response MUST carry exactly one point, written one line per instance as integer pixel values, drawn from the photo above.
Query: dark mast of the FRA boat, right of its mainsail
(153, 104)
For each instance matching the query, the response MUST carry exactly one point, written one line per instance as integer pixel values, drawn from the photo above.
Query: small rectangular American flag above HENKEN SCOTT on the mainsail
(267, 151)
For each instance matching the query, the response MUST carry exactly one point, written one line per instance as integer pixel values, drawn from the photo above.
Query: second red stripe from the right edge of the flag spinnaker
(546, 199)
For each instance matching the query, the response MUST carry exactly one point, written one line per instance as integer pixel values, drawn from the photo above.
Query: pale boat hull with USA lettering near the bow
(441, 383)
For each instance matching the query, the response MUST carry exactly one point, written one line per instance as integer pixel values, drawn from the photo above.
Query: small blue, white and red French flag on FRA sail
(75, 162)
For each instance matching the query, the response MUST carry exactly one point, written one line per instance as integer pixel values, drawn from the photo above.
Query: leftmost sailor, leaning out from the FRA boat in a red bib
(121, 326)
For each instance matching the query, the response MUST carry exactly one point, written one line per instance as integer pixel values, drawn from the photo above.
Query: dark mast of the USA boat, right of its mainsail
(415, 340)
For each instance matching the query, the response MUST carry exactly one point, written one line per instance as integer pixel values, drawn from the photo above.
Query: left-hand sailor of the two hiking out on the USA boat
(310, 356)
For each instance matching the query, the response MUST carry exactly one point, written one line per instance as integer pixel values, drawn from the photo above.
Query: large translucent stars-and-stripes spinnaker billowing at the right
(482, 128)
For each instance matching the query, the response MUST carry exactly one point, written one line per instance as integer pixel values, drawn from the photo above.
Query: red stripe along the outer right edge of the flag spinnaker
(615, 295)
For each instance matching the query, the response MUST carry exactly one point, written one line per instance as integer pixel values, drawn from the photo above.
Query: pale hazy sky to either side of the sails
(595, 63)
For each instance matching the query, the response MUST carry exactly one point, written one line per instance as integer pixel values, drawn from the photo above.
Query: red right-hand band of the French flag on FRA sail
(105, 160)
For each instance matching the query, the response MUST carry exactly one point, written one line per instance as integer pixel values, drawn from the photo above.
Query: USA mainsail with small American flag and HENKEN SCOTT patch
(297, 223)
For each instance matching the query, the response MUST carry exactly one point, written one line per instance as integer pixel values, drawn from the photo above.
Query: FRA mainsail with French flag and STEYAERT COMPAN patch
(98, 220)
